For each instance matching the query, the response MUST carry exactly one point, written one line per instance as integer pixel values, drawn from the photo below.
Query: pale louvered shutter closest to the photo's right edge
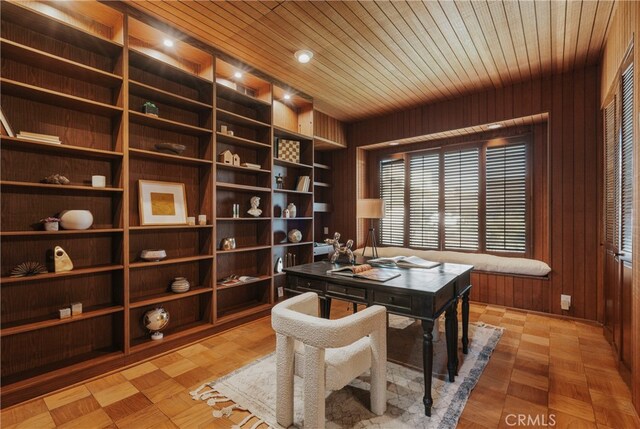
(626, 161)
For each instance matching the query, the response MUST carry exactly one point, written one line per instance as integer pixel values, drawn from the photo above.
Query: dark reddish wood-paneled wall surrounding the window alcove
(574, 174)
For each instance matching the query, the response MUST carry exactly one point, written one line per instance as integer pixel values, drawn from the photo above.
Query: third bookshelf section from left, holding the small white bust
(243, 129)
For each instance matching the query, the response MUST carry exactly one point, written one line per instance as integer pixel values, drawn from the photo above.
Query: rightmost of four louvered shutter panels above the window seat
(506, 199)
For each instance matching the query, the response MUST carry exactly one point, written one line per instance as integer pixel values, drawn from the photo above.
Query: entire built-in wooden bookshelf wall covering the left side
(83, 74)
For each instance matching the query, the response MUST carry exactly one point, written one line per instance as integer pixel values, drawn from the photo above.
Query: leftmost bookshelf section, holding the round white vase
(66, 81)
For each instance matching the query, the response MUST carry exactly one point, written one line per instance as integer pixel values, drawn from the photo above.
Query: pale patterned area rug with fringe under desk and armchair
(253, 387)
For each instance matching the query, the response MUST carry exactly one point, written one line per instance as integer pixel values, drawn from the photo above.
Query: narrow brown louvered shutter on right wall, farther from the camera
(611, 176)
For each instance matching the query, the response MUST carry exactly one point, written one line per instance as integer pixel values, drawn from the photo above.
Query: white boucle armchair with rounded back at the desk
(328, 354)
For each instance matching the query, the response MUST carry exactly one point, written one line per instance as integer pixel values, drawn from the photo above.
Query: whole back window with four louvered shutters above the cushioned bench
(471, 197)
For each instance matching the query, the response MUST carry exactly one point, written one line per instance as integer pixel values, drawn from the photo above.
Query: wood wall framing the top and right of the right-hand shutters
(625, 29)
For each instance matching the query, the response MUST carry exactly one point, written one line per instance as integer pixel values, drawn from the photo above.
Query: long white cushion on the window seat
(480, 261)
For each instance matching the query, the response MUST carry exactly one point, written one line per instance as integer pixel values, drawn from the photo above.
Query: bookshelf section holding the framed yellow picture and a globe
(179, 82)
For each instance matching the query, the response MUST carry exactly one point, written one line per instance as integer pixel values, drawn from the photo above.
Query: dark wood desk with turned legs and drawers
(418, 293)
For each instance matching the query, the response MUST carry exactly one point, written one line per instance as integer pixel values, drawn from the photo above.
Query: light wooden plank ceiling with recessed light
(374, 57)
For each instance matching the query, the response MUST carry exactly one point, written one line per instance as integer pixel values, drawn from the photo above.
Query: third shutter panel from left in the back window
(461, 192)
